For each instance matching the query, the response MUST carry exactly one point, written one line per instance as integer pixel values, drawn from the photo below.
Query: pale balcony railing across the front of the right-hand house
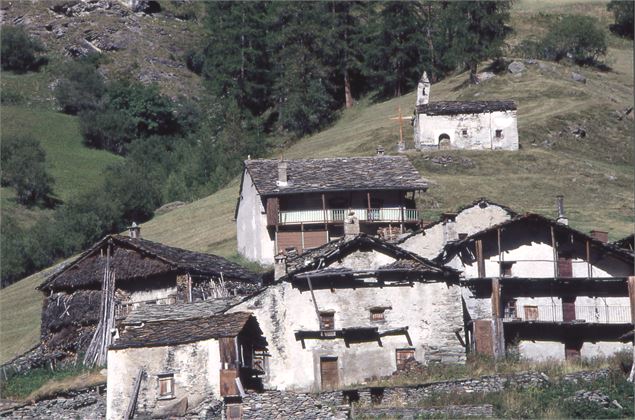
(553, 313)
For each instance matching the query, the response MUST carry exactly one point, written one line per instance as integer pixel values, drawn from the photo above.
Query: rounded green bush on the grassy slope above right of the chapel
(580, 38)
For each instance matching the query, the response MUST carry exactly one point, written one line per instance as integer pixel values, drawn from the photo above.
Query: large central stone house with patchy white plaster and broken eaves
(354, 309)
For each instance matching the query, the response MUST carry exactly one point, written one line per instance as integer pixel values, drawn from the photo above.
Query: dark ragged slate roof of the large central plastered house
(319, 258)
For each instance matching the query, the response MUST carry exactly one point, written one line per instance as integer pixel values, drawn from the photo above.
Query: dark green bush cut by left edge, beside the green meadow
(24, 168)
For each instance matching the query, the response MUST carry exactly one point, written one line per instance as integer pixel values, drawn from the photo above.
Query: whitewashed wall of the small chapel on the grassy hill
(481, 129)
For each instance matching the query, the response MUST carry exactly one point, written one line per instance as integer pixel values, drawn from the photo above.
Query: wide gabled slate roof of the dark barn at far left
(158, 258)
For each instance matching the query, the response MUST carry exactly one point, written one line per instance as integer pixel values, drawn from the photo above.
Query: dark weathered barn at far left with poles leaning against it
(142, 273)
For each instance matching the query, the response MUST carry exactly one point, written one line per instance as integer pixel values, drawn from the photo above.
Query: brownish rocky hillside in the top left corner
(144, 44)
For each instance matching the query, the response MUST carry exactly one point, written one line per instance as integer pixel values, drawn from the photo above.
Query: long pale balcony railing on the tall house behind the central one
(386, 215)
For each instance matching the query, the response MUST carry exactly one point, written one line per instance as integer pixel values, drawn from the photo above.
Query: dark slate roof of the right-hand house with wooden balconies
(452, 248)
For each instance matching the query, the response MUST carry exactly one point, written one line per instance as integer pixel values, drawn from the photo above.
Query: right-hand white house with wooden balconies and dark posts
(543, 289)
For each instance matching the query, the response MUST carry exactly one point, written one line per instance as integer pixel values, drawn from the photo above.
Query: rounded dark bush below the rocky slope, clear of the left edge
(80, 88)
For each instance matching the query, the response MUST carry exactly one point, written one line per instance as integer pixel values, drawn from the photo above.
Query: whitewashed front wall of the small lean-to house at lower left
(195, 366)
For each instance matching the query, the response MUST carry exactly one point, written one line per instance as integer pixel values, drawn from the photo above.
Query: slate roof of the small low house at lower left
(172, 332)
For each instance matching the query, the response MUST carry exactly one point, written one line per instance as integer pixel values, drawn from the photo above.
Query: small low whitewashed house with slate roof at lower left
(160, 367)
